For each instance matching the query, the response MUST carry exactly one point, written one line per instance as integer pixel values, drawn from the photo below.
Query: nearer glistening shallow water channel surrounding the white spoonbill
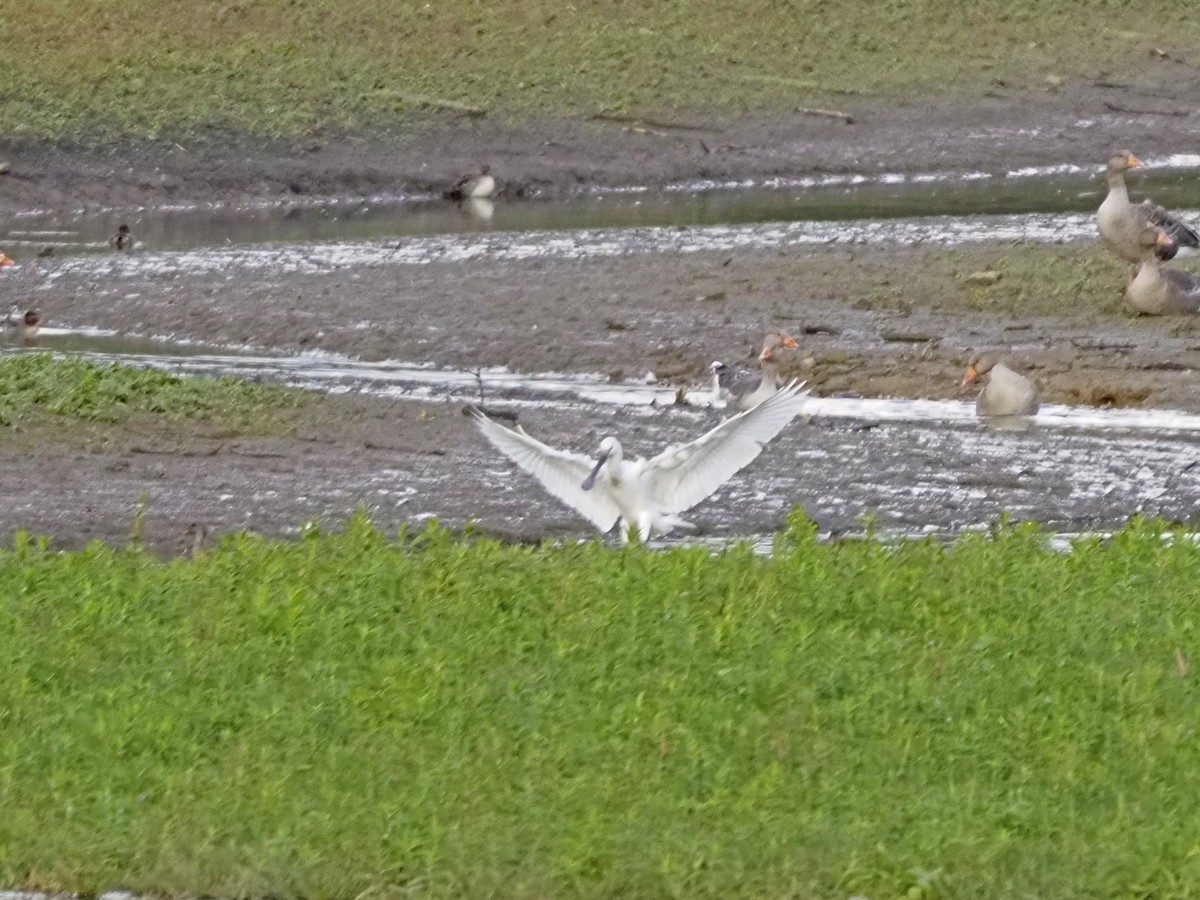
(917, 467)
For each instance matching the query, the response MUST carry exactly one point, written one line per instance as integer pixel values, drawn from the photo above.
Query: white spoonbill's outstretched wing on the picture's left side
(559, 471)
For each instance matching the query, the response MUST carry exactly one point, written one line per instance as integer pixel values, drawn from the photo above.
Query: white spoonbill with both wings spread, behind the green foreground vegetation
(647, 495)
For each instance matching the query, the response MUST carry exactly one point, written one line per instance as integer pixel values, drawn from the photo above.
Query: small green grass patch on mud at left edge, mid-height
(37, 386)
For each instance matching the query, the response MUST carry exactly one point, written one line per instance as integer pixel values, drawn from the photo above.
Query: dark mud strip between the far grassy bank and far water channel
(998, 131)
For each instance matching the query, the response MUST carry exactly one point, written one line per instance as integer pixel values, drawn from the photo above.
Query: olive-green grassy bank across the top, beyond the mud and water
(275, 67)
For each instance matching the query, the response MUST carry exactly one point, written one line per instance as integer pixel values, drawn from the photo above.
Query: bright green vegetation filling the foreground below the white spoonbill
(351, 716)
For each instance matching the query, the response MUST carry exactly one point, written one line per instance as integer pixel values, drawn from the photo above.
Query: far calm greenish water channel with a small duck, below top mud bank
(827, 200)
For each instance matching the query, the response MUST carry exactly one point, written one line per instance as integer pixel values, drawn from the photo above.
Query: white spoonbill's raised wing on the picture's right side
(686, 475)
